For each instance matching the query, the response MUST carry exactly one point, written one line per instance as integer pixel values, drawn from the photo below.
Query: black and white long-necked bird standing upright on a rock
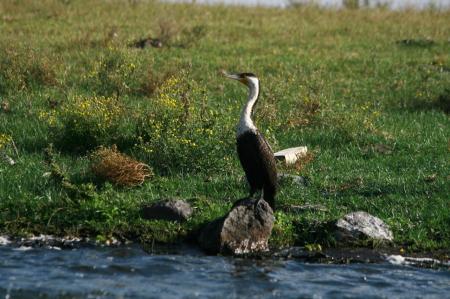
(254, 152)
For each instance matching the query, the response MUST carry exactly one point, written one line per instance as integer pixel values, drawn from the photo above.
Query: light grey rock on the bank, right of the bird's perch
(358, 226)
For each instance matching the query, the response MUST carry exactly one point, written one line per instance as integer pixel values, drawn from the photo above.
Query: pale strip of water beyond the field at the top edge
(393, 4)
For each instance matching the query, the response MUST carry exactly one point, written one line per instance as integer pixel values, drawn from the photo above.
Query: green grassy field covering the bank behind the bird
(365, 90)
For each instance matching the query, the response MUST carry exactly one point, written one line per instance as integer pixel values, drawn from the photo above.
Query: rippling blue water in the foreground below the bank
(129, 272)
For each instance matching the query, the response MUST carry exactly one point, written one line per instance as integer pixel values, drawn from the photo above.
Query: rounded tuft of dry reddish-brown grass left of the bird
(119, 169)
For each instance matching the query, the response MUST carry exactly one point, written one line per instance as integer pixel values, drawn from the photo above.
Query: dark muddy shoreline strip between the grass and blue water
(336, 255)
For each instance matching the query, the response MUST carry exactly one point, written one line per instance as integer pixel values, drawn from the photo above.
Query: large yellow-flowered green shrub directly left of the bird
(179, 130)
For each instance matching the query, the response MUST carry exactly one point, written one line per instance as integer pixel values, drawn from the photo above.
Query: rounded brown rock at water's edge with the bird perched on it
(245, 229)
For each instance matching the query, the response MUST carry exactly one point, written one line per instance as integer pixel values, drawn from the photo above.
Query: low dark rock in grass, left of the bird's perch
(171, 210)
